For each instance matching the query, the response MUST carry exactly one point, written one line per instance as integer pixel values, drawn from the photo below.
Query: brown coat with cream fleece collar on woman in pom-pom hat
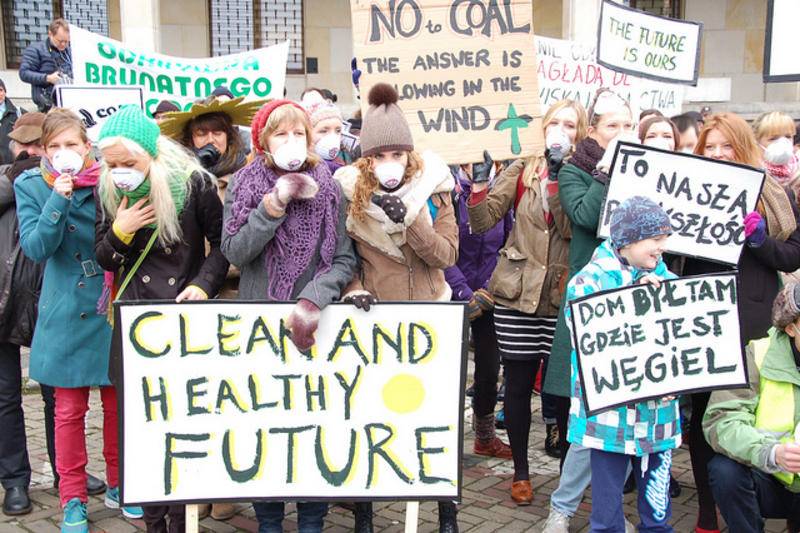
(413, 270)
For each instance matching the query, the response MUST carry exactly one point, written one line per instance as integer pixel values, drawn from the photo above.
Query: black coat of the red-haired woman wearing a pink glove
(759, 279)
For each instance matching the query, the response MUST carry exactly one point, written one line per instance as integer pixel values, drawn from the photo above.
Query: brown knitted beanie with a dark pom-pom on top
(384, 127)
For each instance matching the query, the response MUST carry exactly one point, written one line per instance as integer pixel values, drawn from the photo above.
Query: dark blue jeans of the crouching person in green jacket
(745, 496)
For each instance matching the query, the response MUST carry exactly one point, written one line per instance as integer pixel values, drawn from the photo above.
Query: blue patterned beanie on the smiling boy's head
(636, 219)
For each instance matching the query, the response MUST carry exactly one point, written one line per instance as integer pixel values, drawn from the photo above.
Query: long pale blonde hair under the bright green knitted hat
(173, 163)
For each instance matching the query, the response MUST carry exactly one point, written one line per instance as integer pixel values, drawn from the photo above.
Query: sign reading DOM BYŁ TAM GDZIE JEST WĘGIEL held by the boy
(641, 342)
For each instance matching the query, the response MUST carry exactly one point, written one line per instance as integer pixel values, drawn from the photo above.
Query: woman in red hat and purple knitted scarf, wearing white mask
(285, 229)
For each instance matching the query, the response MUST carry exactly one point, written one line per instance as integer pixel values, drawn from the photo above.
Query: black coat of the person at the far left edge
(20, 277)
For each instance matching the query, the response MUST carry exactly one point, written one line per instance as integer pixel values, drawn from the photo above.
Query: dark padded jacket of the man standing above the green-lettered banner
(39, 60)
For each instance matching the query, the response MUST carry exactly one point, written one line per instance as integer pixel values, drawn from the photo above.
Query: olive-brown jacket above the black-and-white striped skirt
(532, 270)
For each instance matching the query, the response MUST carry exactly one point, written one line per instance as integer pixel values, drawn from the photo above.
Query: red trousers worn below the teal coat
(71, 457)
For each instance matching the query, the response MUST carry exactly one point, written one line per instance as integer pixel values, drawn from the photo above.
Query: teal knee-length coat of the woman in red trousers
(71, 341)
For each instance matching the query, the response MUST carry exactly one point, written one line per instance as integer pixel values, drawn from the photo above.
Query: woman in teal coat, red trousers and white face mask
(55, 207)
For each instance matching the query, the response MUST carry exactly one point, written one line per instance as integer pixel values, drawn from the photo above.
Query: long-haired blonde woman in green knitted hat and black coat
(158, 209)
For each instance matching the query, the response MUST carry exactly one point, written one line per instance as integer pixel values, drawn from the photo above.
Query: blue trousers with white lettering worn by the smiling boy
(609, 472)
